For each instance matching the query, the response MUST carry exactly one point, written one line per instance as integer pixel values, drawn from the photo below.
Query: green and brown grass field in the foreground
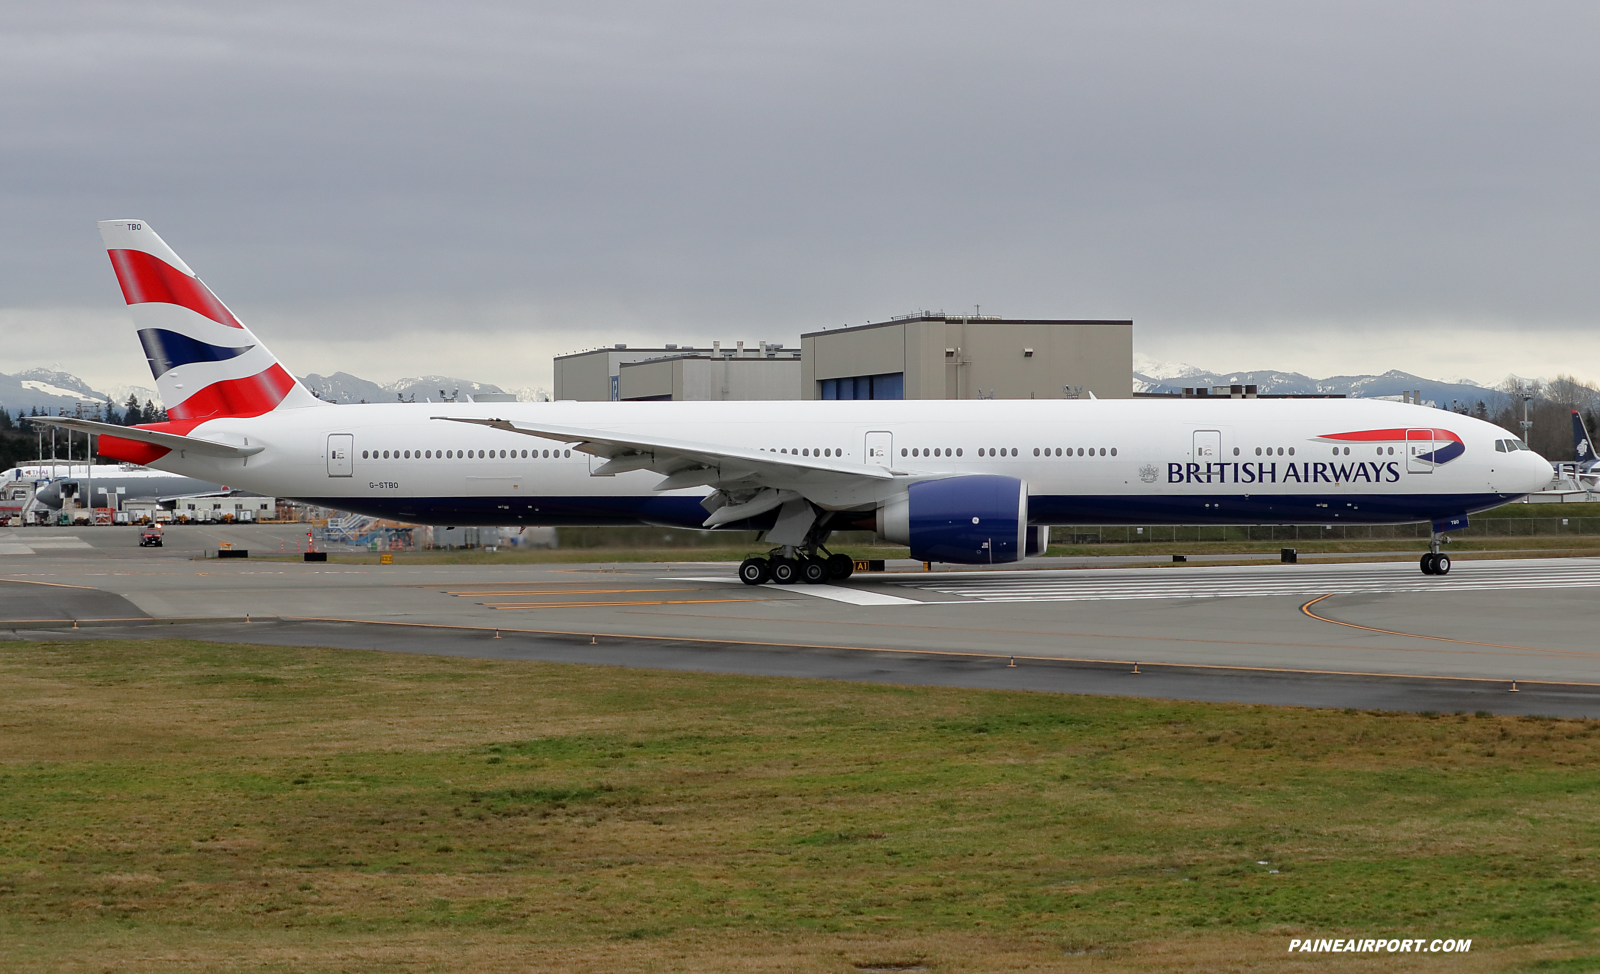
(190, 807)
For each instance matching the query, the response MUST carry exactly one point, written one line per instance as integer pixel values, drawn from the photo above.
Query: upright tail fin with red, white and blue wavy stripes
(206, 362)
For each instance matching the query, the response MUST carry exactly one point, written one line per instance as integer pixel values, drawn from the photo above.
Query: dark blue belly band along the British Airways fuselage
(1044, 509)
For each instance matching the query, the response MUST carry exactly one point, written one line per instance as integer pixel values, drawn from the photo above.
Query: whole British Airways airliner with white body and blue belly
(958, 482)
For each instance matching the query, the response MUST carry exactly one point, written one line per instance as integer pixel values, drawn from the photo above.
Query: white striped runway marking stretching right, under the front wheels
(1242, 583)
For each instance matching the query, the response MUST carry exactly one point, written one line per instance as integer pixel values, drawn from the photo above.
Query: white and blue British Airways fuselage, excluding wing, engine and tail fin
(1084, 461)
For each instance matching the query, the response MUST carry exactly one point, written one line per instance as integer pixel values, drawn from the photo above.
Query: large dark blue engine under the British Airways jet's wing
(962, 521)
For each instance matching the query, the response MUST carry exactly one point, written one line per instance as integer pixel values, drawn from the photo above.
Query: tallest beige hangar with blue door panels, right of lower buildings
(948, 357)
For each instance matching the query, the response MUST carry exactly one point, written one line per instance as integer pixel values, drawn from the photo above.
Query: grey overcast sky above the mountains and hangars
(462, 188)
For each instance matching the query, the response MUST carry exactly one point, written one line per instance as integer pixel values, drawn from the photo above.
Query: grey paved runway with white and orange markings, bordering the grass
(1377, 637)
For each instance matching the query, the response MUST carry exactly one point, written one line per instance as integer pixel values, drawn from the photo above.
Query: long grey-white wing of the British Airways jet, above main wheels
(753, 481)
